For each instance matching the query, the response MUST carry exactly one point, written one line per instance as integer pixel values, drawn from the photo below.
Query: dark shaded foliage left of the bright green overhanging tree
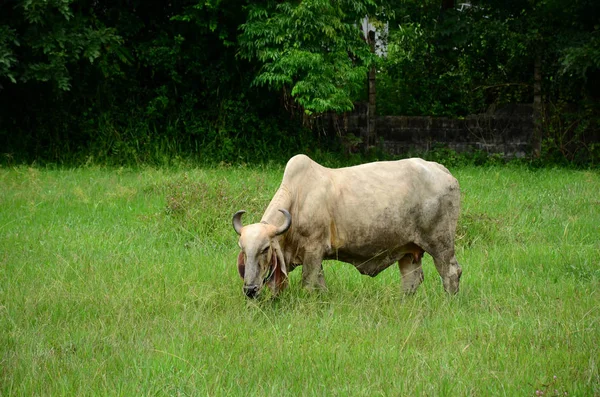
(168, 86)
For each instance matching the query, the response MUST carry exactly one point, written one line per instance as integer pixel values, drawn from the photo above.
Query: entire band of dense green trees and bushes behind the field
(153, 81)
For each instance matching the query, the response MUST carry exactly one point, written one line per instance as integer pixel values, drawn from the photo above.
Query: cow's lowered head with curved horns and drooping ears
(260, 260)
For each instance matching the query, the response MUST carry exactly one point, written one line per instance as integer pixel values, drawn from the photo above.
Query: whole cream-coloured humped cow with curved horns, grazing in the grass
(371, 216)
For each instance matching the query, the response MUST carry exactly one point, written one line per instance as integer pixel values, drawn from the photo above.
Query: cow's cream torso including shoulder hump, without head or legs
(369, 205)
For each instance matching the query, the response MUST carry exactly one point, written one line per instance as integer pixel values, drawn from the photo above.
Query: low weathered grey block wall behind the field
(507, 131)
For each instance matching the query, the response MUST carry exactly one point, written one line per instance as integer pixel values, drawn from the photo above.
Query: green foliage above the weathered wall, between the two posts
(454, 63)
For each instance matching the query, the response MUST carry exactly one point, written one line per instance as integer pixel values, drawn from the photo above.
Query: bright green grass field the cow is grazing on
(123, 282)
